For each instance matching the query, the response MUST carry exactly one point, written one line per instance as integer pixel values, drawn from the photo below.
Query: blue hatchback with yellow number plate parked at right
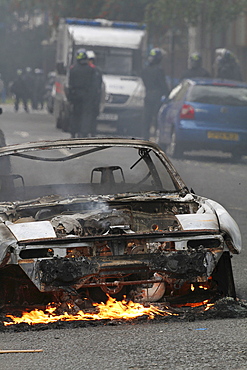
(204, 114)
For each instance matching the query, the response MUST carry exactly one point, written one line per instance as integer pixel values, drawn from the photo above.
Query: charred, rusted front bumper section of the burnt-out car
(112, 262)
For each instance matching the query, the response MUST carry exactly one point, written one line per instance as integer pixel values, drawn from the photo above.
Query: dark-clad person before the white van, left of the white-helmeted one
(81, 85)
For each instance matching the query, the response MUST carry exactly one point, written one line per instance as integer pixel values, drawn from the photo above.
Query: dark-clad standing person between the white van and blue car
(154, 79)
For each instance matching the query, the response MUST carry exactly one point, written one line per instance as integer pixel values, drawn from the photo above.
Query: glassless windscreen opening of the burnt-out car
(83, 171)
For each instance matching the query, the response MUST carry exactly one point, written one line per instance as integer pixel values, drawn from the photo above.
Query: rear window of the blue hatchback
(218, 95)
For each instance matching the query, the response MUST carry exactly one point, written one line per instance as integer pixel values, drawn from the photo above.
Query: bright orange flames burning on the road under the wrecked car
(112, 309)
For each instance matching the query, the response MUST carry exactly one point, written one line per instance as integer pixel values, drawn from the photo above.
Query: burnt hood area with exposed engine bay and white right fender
(115, 213)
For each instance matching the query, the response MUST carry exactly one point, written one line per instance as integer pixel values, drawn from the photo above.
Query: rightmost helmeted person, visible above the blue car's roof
(227, 66)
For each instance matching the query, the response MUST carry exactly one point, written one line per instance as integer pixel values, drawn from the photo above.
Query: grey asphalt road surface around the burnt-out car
(211, 344)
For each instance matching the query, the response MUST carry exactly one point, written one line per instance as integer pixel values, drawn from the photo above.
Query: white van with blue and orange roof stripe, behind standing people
(119, 48)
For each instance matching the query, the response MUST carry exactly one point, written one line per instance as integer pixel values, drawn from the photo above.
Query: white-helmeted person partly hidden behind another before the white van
(96, 91)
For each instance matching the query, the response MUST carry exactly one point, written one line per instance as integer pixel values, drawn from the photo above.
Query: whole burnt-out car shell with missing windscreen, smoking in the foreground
(84, 219)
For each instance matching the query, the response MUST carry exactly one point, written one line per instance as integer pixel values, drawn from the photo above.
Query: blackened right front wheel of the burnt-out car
(224, 277)
